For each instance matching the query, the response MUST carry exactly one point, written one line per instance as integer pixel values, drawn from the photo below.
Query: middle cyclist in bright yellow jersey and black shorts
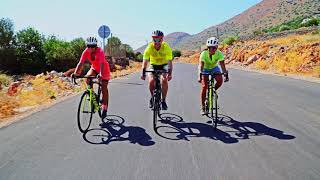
(159, 55)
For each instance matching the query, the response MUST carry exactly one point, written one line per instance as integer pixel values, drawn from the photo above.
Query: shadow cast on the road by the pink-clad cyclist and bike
(113, 129)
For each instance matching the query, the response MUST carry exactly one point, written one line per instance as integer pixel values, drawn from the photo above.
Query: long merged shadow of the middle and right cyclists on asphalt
(173, 127)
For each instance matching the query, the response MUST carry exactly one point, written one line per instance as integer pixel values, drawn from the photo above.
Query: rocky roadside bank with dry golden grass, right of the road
(292, 54)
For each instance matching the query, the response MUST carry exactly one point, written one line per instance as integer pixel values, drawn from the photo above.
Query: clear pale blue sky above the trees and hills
(130, 20)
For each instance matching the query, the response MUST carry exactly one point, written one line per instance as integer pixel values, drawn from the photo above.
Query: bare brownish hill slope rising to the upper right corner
(266, 14)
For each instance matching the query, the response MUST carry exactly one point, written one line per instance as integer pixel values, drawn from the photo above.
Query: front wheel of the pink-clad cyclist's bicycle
(85, 111)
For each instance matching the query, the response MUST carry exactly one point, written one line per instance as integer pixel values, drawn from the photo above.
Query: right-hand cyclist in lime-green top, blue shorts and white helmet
(209, 61)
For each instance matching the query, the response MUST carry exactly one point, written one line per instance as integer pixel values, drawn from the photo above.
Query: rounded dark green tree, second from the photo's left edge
(30, 54)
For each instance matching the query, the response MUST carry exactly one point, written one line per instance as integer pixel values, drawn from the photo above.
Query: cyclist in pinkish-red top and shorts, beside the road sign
(99, 66)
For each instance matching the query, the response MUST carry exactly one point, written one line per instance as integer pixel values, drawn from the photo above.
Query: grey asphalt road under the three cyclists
(270, 130)
